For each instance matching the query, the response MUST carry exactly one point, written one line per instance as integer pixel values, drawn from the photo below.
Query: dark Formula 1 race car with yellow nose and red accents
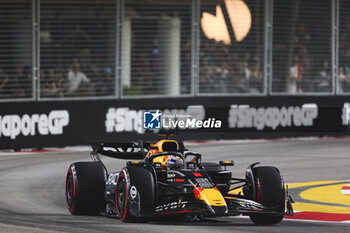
(165, 179)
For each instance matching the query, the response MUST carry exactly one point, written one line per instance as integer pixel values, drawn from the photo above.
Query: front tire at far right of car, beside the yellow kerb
(269, 191)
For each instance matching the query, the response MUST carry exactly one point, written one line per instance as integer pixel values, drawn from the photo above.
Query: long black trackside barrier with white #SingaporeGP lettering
(64, 123)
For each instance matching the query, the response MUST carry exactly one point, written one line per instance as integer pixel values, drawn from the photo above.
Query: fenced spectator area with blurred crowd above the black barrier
(83, 49)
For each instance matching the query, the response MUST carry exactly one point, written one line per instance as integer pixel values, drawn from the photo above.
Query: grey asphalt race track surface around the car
(32, 187)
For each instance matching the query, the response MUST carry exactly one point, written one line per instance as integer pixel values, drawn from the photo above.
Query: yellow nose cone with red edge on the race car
(213, 198)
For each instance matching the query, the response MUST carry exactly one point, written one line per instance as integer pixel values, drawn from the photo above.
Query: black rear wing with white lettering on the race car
(120, 150)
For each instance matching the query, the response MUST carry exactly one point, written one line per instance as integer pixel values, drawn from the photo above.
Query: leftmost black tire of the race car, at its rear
(85, 186)
